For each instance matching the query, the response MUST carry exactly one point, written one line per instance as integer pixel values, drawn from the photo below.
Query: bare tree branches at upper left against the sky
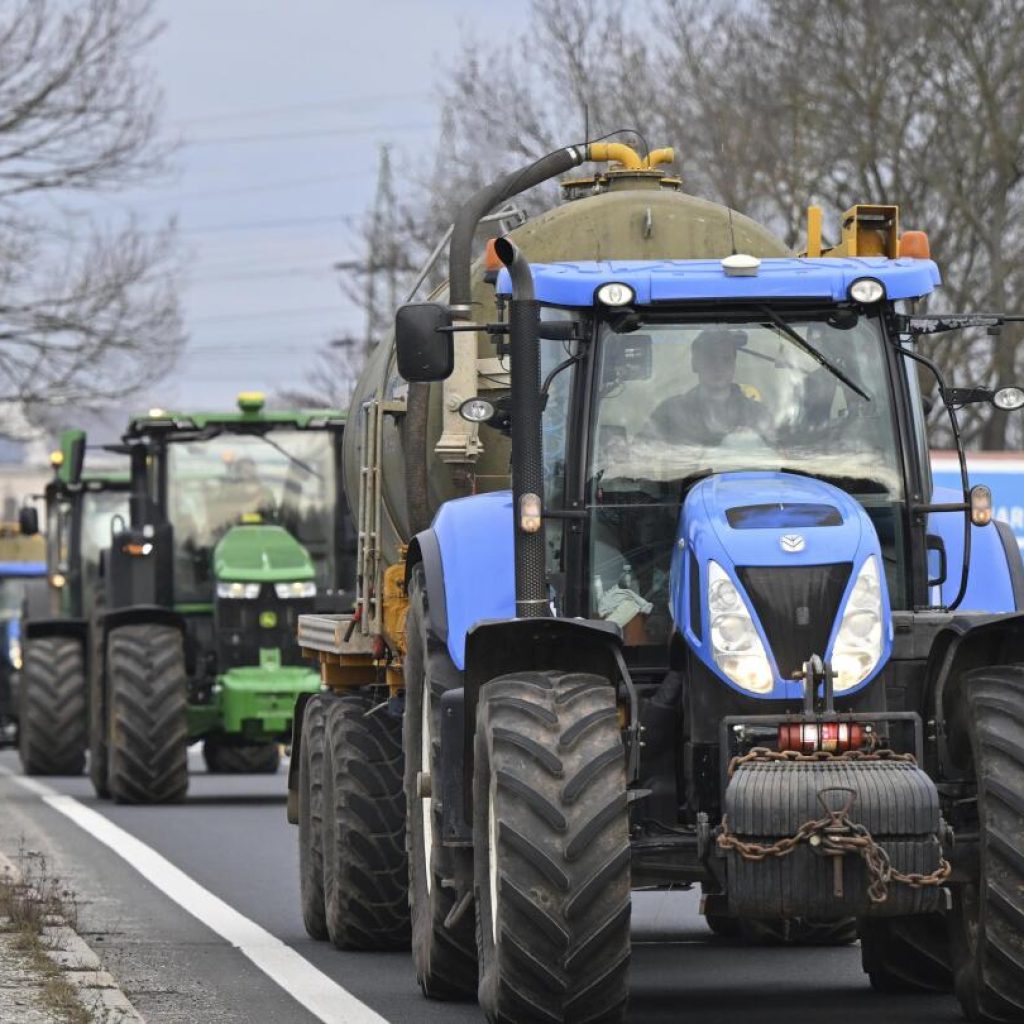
(89, 306)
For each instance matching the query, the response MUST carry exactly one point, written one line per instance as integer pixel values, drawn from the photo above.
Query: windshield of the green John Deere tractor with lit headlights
(287, 479)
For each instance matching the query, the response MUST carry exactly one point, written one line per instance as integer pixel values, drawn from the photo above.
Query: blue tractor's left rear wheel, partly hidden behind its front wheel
(445, 955)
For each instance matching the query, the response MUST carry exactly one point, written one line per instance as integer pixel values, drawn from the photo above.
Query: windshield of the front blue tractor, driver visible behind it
(680, 401)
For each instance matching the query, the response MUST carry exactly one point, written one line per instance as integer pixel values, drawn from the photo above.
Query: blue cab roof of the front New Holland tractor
(779, 278)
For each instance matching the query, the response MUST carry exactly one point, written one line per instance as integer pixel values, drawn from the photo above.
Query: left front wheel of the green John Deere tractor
(148, 743)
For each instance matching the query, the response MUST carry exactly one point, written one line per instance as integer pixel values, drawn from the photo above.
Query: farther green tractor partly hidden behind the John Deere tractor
(54, 692)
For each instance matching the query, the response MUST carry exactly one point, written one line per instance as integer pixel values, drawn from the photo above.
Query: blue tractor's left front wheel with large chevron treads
(551, 851)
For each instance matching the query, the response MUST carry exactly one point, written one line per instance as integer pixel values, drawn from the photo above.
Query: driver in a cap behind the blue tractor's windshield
(717, 406)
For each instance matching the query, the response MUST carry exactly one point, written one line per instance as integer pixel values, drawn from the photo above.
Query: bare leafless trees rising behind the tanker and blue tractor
(772, 106)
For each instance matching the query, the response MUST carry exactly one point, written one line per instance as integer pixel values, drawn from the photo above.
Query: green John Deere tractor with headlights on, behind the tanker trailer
(235, 529)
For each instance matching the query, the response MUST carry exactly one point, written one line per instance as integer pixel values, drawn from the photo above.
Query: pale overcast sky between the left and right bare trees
(282, 107)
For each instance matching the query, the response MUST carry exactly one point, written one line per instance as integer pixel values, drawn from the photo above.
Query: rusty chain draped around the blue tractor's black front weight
(835, 835)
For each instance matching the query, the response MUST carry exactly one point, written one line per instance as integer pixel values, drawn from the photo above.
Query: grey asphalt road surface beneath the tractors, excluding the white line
(232, 837)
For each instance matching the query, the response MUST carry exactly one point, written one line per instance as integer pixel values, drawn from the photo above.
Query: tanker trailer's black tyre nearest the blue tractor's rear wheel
(366, 872)
